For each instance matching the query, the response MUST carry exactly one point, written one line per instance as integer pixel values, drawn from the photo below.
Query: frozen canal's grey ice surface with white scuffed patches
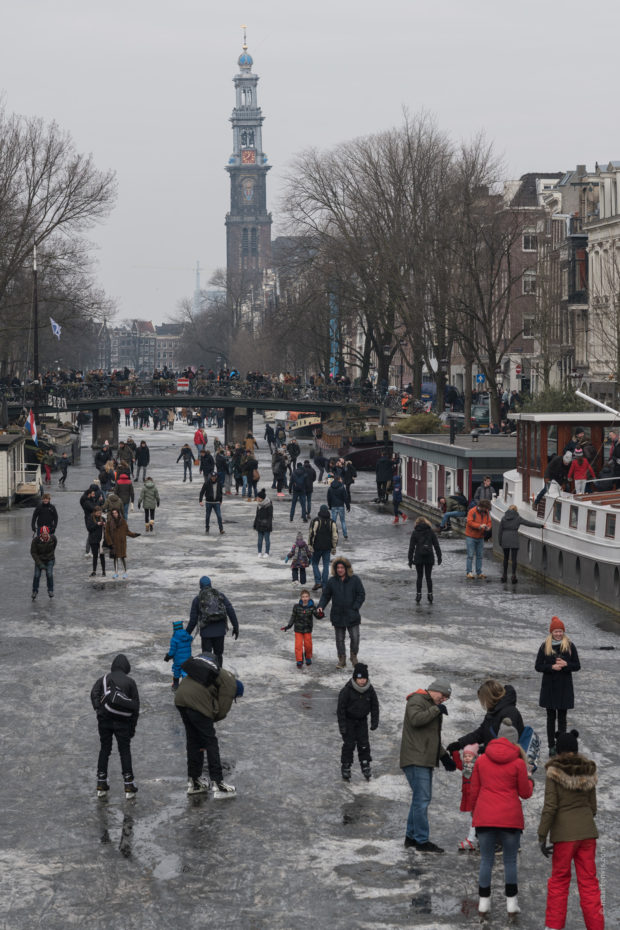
(297, 847)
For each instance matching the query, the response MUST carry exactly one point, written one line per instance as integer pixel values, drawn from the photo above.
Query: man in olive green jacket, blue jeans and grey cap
(420, 752)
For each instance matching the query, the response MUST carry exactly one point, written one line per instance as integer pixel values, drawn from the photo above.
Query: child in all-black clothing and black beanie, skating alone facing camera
(356, 702)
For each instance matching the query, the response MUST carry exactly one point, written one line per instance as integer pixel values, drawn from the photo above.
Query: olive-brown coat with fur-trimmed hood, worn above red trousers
(569, 807)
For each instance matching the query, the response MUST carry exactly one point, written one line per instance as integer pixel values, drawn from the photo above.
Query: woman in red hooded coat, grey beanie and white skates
(500, 778)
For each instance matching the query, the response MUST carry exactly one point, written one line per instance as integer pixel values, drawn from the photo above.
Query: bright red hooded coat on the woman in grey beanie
(498, 782)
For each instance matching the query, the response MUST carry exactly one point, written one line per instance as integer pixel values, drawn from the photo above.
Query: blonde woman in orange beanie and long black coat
(557, 659)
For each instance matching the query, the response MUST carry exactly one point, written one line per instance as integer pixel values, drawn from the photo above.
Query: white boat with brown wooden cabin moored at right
(577, 547)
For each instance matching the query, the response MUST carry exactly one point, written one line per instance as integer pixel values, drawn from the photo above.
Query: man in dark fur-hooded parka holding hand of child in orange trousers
(346, 592)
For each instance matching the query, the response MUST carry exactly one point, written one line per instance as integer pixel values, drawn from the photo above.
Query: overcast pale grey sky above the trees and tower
(147, 88)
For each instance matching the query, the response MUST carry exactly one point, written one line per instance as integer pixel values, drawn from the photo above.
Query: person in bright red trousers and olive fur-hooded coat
(568, 816)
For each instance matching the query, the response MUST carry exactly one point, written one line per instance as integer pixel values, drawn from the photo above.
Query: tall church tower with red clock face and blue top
(248, 224)
